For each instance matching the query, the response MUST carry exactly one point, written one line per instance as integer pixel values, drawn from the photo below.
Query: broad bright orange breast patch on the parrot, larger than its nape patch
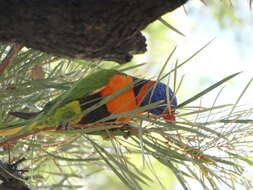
(124, 102)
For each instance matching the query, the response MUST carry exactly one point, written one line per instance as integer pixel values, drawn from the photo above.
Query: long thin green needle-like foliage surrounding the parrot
(210, 145)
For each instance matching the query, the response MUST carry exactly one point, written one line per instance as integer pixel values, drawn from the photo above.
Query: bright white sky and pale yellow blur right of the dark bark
(230, 52)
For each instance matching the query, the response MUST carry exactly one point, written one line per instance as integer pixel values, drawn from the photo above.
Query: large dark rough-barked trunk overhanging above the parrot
(86, 29)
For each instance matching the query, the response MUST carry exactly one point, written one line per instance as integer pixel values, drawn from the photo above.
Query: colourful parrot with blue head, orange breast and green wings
(92, 89)
